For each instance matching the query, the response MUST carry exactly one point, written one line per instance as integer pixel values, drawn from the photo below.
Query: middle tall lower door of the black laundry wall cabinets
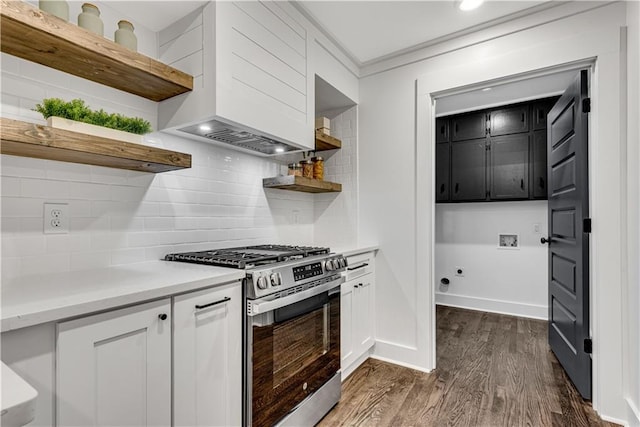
(510, 167)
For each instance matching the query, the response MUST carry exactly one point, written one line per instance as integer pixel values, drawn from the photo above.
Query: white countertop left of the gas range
(37, 299)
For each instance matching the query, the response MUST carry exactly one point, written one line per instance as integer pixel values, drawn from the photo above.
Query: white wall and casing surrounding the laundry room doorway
(396, 107)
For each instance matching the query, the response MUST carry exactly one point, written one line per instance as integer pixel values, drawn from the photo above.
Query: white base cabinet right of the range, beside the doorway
(357, 321)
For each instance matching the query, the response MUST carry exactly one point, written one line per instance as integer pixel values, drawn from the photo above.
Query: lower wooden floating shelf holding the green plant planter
(43, 142)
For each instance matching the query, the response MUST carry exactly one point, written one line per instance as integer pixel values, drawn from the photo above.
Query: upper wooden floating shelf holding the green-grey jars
(37, 36)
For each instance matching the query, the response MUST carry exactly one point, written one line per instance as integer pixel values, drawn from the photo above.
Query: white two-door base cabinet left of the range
(115, 368)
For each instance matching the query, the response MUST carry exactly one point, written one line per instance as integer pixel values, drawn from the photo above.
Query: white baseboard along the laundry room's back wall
(493, 306)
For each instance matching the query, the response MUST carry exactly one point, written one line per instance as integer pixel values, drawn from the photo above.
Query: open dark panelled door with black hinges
(567, 132)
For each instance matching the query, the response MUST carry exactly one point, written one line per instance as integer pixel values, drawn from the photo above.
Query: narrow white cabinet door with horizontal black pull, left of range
(208, 357)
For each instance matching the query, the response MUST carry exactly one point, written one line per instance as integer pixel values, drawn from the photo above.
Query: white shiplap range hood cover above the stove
(250, 62)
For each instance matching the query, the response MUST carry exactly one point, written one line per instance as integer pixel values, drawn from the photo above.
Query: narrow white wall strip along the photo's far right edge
(632, 297)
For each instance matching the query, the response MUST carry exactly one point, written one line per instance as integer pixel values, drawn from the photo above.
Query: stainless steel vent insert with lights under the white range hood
(239, 138)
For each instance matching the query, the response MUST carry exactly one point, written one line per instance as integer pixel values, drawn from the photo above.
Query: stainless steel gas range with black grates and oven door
(291, 329)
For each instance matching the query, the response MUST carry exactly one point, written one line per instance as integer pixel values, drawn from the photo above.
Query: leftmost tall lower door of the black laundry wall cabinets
(468, 170)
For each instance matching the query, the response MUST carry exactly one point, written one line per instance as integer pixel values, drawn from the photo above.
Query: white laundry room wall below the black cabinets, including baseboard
(511, 281)
